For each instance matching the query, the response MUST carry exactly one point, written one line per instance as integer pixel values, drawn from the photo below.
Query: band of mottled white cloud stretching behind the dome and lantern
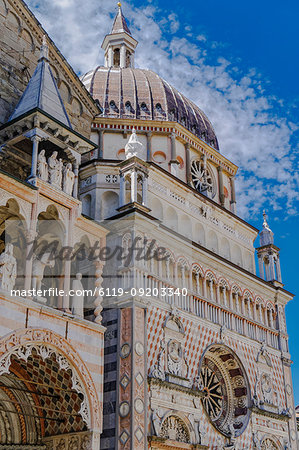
(251, 129)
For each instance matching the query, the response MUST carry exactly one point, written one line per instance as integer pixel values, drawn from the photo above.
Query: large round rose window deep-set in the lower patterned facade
(224, 385)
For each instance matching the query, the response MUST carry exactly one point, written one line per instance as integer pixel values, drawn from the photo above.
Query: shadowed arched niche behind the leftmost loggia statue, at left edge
(13, 230)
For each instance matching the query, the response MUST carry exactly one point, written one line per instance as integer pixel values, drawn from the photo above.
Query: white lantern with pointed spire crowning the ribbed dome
(119, 45)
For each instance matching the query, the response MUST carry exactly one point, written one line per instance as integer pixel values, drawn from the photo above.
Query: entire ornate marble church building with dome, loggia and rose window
(182, 344)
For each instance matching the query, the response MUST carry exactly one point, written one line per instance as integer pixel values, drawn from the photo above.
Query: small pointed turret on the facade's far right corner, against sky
(268, 254)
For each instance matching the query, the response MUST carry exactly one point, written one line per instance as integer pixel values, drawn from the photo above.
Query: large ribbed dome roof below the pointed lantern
(142, 94)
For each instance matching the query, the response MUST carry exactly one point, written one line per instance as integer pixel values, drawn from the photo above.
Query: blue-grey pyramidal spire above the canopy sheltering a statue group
(42, 92)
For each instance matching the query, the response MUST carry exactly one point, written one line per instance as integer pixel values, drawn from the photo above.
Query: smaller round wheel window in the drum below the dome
(202, 178)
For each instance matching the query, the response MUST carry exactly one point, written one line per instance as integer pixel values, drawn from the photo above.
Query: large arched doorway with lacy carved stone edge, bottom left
(43, 399)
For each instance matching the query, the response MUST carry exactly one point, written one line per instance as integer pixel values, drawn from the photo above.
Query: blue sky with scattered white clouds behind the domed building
(239, 62)
